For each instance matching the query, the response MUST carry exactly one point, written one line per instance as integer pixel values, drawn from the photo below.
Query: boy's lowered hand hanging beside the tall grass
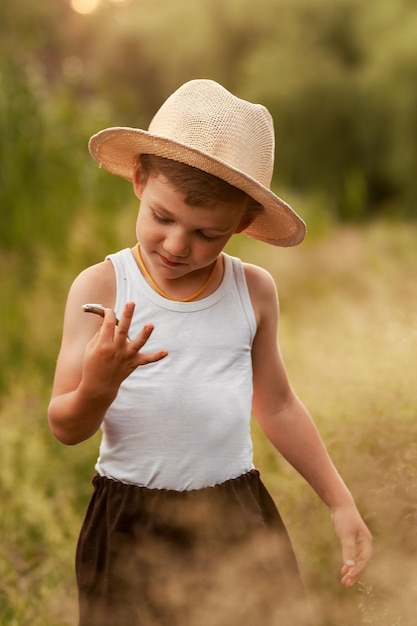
(356, 541)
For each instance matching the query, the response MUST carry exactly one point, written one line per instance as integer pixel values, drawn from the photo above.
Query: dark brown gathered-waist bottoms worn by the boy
(218, 556)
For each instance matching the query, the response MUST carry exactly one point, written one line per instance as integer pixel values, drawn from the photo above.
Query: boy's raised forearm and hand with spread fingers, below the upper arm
(90, 370)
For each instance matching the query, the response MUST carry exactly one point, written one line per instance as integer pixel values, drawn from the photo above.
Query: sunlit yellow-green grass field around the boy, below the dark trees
(348, 334)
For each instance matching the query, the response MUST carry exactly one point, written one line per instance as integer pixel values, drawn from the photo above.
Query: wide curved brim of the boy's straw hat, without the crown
(116, 149)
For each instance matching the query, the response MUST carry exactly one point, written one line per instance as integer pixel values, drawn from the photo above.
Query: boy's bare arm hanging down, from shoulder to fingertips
(290, 428)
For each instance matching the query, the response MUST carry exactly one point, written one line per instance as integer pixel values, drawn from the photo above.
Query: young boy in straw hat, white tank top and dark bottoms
(180, 529)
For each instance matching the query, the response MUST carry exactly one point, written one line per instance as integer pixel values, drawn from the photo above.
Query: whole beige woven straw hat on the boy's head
(205, 126)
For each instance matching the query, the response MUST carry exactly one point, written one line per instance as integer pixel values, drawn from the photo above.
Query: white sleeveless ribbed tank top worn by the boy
(184, 422)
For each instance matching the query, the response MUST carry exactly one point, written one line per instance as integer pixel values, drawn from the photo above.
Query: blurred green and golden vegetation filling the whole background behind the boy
(339, 79)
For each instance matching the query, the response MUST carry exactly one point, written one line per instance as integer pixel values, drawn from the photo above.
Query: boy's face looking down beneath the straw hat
(176, 238)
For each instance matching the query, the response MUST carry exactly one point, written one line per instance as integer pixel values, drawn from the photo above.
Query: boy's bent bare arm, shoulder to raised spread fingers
(95, 357)
